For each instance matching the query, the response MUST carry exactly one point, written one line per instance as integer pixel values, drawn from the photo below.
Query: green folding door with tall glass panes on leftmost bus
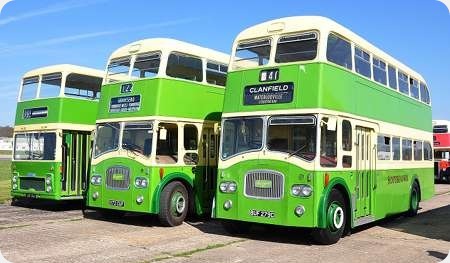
(75, 161)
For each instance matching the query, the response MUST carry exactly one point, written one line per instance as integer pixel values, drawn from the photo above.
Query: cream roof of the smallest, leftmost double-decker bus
(65, 68)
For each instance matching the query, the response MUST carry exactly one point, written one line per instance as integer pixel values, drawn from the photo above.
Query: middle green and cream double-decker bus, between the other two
(156, 138)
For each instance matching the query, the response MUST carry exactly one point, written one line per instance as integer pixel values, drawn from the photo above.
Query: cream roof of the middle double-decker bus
(168, 44)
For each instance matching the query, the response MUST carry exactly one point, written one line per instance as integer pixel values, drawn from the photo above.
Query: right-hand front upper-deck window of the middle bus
(146, 65)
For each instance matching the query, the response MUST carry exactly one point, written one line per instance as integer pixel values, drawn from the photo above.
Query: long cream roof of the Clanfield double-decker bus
(294, 24)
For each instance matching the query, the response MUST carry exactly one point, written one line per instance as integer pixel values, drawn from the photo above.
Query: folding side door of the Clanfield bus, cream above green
(365, 175)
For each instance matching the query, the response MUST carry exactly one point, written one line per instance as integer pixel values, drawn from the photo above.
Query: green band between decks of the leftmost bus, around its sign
(60, 110)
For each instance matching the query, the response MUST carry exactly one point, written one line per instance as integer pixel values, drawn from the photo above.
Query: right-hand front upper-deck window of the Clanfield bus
(299, 47)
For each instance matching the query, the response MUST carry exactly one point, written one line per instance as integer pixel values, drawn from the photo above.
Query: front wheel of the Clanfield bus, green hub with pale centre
(336, 214)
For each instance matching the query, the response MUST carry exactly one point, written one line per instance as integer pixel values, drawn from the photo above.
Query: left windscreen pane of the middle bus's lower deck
(107, 138)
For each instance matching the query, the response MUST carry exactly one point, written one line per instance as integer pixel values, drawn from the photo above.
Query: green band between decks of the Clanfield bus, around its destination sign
(321, 85)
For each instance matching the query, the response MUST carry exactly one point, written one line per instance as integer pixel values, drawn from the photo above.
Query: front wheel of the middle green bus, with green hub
(173, 204)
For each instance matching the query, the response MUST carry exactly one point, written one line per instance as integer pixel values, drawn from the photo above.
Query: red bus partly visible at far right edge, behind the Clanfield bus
(441, 141)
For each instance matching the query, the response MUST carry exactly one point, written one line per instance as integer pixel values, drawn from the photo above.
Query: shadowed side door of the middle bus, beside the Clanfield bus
(209, 156)
